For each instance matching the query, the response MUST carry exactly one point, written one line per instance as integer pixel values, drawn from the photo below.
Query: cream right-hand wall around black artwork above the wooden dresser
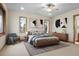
(69, 16)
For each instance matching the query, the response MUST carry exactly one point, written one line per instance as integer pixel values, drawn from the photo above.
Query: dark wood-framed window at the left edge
(2, 20)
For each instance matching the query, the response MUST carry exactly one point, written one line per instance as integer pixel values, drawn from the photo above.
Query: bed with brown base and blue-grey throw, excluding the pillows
(43, 40)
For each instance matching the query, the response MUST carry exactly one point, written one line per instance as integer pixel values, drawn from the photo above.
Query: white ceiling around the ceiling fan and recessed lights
(37, 8)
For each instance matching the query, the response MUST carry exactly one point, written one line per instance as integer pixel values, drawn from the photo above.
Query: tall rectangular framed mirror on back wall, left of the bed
(22, 24)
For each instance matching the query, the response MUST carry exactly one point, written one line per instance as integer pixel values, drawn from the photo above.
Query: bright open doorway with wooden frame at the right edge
(76, 28)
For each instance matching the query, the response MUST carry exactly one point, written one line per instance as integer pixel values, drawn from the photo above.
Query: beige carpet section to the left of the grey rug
(14, 50)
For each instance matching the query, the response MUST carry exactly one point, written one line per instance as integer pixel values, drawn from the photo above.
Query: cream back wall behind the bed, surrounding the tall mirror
(14, 20)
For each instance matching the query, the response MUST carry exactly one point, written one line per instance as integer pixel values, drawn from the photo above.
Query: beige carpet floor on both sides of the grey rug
(20, 50)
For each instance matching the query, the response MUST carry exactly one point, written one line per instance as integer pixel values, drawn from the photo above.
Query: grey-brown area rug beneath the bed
(34, 51)
